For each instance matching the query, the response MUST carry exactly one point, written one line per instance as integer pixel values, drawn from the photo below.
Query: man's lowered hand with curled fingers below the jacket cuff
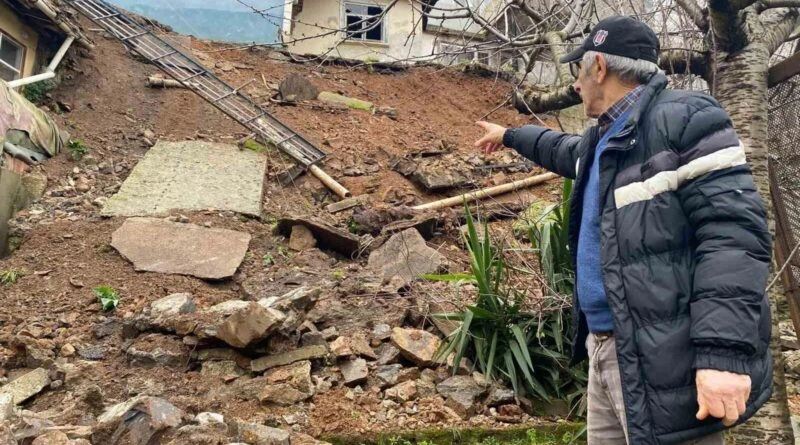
(721, 394)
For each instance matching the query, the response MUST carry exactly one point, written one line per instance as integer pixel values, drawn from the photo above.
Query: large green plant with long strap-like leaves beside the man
(526, 350)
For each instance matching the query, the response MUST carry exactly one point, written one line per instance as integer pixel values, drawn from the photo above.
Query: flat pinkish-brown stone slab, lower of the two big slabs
(156, 245)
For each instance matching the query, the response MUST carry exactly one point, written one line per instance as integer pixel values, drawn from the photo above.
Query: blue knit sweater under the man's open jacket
(591, 292)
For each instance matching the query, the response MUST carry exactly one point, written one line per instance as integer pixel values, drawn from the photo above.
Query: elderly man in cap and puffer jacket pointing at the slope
(670, 243)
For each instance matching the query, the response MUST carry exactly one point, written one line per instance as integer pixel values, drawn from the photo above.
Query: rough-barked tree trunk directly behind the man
(741, 87)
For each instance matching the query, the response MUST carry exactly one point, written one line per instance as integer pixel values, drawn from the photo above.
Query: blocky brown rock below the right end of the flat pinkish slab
(247, 325)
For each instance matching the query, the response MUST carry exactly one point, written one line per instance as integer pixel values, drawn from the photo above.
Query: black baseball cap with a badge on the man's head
(620, 36)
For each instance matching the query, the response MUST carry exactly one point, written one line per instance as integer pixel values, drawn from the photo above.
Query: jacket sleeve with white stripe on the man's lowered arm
(733, 245)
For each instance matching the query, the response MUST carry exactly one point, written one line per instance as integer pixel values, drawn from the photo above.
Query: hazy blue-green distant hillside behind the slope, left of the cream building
(226, 21)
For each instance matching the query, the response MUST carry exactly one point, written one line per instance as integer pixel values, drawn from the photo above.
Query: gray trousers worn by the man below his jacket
(605, 412)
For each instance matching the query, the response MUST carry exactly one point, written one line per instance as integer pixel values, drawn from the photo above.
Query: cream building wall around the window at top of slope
(401, 21)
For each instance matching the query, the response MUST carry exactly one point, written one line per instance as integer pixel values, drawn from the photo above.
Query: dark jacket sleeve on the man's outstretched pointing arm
(553, 150)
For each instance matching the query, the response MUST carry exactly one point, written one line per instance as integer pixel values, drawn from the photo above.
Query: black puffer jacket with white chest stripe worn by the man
(685, 254)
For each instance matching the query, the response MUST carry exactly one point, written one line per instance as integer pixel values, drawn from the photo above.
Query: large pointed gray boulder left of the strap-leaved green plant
(404, 258)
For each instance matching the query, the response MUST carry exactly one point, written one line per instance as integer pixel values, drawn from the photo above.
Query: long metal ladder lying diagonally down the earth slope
(197, 78)
